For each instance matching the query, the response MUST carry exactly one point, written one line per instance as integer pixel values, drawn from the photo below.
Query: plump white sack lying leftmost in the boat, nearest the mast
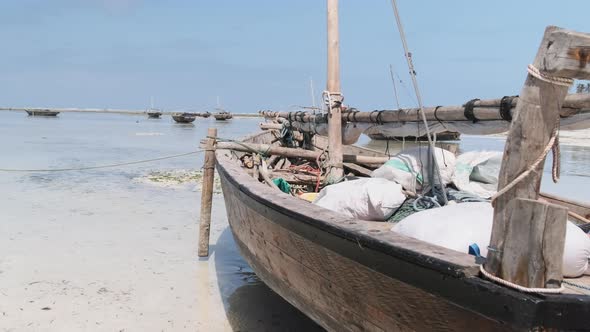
(365, 199)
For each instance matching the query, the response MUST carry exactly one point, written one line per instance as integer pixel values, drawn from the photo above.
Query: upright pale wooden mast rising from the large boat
(335, 171)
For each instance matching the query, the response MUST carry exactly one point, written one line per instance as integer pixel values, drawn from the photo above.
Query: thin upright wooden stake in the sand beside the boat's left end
(207, 193)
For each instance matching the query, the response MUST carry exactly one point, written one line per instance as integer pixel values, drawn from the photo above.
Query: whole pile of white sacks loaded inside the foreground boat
(455, 226)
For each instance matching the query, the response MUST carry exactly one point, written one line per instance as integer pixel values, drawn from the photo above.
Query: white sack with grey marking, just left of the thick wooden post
(477, 172)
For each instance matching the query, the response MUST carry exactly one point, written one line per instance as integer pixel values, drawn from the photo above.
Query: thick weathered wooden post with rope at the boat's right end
(517, 235)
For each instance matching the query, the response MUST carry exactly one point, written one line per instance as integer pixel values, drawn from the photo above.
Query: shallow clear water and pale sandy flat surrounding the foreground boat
(126, 248)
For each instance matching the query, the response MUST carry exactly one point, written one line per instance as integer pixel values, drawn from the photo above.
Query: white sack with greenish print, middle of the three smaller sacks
(410, 168)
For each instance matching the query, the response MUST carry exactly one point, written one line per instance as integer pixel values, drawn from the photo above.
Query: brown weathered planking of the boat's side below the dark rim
(349, 293)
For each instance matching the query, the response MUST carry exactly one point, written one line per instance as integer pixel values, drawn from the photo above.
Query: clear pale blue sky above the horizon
(262, 54)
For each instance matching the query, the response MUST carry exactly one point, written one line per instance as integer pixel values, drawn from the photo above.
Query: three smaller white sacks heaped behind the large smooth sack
(378, 197)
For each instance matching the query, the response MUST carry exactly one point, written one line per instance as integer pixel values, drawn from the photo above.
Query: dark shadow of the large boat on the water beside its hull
(249, 304)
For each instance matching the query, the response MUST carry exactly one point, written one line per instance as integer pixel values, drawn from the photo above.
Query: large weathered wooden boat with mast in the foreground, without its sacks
(354, 275)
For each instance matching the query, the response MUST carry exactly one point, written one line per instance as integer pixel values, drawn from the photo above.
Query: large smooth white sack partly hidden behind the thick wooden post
(459, 225)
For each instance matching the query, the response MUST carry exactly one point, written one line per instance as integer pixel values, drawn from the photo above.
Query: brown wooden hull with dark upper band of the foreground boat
(351, 275)
